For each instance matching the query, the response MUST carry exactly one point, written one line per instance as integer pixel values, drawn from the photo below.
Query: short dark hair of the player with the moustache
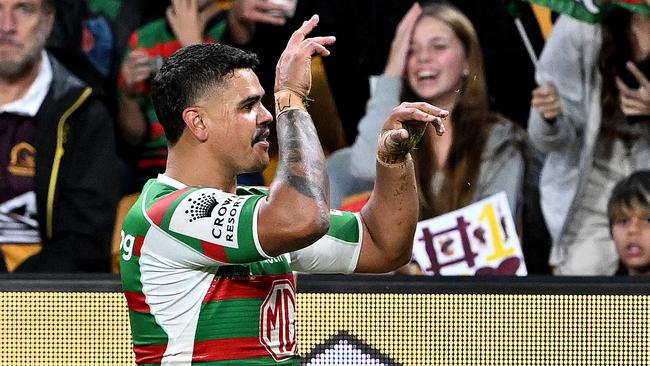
(190, 74)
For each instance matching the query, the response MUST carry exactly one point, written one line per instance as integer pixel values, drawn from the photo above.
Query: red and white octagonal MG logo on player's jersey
(278, 320)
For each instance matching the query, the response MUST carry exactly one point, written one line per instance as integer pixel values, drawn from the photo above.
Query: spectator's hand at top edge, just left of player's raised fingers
(244, 14)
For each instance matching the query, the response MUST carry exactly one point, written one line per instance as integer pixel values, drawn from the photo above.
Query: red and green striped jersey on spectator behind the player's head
(159, 41)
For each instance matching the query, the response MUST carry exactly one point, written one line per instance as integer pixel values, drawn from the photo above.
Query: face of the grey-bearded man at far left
(24, 28)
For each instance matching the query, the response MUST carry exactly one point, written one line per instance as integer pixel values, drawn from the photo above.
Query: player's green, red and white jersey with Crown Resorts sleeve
(201, 290)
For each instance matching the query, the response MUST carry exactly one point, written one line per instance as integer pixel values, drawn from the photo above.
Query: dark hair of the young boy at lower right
(628, 194)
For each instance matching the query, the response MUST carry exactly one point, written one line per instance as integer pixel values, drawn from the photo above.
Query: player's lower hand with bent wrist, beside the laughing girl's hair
(404, 128)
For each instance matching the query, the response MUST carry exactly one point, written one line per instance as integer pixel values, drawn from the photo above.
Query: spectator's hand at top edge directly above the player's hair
(188, 21)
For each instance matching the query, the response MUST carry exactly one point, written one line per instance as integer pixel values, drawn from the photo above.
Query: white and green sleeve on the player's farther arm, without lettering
(337, 251)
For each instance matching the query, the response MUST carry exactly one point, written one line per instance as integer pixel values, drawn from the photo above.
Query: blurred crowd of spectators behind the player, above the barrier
(566, 137)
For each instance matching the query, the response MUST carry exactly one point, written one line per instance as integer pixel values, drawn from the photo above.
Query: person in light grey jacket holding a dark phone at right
(591, 115)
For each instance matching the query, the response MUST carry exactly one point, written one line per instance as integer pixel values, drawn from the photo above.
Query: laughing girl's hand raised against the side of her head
(399, 48)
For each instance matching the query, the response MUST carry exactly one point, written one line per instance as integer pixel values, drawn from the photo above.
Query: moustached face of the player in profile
(238, 124)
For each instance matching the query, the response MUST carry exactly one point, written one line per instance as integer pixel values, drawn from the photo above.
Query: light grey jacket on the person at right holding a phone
(569, 60)
